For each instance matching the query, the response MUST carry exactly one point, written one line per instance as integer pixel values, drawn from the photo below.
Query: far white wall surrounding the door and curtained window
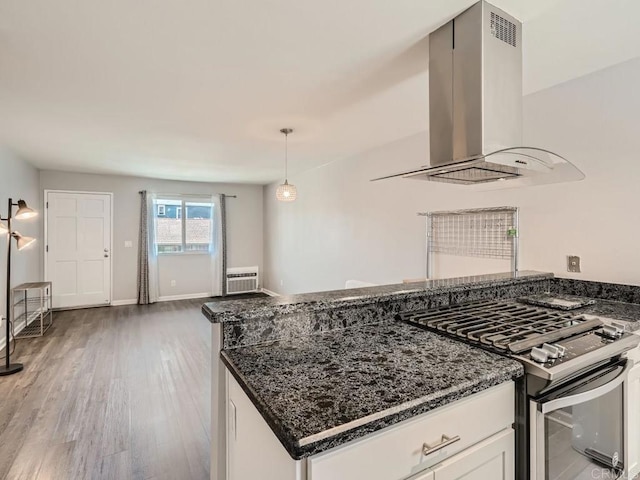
(191, 273)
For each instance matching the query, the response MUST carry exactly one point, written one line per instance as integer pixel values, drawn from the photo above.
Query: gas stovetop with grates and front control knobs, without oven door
(551, 344)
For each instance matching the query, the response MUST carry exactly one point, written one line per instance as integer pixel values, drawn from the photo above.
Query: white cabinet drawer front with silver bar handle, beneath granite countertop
(397, 452)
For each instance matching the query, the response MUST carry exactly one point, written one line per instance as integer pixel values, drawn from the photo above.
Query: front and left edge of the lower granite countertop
(323, 441)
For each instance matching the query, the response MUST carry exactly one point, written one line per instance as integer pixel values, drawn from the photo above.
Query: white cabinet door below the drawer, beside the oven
(493, 458)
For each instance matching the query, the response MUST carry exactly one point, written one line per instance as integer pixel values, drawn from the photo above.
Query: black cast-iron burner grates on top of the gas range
(504, 326)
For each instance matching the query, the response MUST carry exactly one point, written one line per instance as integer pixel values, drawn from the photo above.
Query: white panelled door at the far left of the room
(78, 251)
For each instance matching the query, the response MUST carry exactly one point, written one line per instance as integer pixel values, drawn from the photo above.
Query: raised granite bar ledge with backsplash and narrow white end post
(243, 323)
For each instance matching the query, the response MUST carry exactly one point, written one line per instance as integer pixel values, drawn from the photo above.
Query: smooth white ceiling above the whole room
(198, 90)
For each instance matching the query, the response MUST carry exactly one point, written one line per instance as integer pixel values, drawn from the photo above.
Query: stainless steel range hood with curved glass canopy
(475, 107)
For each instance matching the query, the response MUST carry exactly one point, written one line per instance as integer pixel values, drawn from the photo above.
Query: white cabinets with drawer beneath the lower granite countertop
(485, 448)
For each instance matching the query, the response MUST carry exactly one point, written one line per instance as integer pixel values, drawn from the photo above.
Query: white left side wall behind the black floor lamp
(18, 180)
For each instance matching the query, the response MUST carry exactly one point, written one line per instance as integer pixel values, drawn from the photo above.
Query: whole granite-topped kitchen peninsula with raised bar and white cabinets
(326, 381)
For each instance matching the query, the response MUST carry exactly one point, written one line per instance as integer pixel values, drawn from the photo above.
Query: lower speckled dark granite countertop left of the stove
(320, 391)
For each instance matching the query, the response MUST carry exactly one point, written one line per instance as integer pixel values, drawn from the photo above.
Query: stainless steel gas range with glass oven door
(569, 405)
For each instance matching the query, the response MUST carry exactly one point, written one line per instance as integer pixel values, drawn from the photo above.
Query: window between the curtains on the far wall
(188, 233)
